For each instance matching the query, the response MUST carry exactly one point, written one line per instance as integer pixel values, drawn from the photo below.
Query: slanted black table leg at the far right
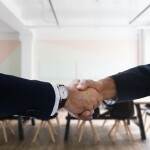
(141, 126)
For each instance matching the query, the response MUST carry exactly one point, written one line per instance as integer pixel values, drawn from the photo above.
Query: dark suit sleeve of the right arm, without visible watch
(133, 83)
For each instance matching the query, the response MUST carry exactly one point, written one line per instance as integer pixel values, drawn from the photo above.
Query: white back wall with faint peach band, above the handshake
(60, 60)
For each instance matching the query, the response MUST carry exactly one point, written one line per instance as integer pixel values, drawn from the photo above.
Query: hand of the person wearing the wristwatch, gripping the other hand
(82, 103)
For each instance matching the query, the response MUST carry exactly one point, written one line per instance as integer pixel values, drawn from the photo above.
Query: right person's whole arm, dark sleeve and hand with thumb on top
(127, 85)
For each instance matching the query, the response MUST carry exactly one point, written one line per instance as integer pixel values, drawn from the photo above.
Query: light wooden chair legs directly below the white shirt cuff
(47, 123)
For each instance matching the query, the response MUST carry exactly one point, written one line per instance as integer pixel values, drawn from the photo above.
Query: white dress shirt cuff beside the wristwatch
(57, 99)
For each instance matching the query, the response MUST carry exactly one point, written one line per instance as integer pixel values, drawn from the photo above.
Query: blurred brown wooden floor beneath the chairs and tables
(88, 142)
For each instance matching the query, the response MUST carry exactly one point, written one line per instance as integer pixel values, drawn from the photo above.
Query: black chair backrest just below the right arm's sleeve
(123, 110)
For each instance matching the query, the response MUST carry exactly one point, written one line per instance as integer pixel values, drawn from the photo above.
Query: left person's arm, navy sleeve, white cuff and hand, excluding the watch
(37, 99)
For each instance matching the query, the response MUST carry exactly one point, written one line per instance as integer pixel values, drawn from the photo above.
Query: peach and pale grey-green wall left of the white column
(10, 57)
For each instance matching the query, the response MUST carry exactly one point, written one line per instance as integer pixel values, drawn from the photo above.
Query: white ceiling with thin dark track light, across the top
(73, 13)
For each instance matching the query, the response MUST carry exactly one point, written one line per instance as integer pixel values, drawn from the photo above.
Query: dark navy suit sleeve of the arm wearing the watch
(26, 97)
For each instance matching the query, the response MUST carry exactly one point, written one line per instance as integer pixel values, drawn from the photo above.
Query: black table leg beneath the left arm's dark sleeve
(20, 128)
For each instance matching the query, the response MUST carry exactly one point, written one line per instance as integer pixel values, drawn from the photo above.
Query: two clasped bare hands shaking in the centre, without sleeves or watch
(85, 95)
